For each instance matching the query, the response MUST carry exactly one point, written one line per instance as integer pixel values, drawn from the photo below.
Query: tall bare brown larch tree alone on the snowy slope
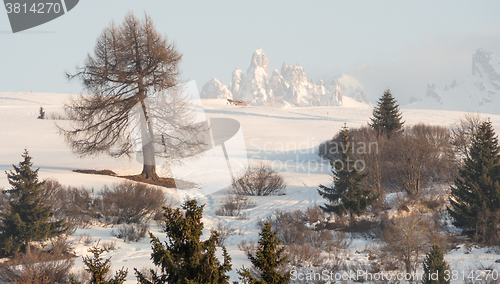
(133, 67)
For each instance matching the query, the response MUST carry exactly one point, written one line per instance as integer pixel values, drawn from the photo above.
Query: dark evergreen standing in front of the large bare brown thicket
(346, 196)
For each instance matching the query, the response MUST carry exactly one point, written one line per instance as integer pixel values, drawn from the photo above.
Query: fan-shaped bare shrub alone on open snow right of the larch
(261, 181)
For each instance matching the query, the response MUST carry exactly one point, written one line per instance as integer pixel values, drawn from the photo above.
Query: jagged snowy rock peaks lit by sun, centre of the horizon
(288, 88)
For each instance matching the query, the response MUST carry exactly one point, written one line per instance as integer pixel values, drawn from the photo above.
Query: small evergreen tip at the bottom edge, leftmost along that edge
(98, 269)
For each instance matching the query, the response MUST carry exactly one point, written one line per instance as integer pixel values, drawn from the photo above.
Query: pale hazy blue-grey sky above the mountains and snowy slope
(400, 44)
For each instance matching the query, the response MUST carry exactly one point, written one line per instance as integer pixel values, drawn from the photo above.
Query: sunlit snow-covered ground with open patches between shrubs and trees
(283, 137)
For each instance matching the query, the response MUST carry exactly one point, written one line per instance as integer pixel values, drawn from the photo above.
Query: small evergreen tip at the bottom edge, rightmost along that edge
(435, 267)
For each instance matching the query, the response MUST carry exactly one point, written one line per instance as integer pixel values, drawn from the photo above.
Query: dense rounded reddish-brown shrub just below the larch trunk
(131, 202)
